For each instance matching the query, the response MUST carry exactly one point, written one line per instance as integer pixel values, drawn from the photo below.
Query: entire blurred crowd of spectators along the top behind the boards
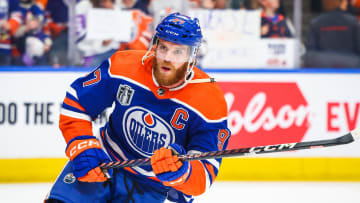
(35, 32)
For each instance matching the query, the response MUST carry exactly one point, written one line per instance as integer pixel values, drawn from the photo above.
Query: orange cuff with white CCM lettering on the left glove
(78, 146)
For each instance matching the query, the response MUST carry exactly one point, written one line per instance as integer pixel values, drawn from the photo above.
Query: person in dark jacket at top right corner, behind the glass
(334, 39)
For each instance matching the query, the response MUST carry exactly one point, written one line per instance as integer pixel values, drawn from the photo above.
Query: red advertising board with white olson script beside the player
(264, 113)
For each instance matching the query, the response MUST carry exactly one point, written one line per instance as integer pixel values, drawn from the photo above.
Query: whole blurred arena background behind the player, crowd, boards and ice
(289, 71)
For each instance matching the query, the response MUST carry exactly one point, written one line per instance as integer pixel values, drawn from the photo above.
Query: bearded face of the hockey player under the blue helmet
(171, 63)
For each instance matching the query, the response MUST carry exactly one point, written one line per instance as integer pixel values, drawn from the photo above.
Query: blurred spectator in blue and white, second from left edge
(31, 39)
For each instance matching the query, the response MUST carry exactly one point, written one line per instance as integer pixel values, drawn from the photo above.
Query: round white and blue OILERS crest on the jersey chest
(146, 131)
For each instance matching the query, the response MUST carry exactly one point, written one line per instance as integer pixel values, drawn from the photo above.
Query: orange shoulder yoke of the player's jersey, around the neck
(193, 95)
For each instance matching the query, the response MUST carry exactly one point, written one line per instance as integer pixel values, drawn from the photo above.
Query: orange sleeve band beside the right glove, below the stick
(196, 184)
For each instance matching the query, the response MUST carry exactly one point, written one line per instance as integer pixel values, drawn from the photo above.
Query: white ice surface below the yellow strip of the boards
(226, 192)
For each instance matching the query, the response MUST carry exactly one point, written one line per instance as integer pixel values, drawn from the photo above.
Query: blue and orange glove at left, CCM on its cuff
(86, 155)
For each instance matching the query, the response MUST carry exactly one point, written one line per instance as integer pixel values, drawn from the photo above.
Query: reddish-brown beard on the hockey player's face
(166, 79)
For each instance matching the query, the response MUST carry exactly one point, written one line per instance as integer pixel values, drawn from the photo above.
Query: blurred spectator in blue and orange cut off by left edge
(10, 20)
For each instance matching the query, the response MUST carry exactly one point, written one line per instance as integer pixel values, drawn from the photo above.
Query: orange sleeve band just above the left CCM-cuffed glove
(73, 127)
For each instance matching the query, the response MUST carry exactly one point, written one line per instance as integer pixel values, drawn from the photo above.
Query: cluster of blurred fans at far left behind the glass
(33, 32)
